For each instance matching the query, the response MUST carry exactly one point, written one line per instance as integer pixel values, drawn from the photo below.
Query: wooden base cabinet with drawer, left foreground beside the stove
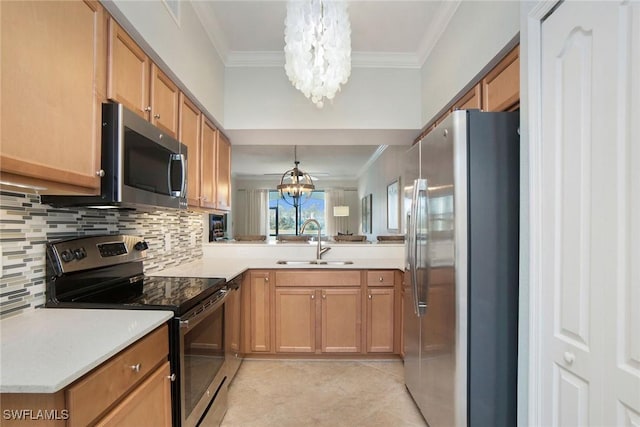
(133, 388)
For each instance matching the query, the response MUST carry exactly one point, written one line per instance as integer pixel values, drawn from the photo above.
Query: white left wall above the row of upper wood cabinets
(185, 49)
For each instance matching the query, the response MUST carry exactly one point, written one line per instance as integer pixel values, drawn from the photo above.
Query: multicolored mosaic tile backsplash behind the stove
(26, 225)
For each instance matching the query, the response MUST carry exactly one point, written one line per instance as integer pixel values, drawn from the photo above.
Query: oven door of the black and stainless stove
(202, 361)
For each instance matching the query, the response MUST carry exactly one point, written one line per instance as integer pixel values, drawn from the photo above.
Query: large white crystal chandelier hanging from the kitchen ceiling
(317, 50)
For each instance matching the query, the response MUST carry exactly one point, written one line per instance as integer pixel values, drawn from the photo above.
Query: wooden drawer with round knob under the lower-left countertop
(93, 394)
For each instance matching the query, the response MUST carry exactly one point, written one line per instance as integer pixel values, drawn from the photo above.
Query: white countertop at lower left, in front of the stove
(45, 350)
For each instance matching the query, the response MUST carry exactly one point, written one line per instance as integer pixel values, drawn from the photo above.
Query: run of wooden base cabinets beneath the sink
(321, 312)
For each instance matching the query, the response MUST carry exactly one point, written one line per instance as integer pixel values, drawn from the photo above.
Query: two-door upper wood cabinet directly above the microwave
(138, 84)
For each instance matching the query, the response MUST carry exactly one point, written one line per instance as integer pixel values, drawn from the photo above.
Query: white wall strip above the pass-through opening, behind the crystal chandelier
(373, 98)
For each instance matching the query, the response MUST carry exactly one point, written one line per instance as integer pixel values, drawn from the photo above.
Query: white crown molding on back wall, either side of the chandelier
(358, 59)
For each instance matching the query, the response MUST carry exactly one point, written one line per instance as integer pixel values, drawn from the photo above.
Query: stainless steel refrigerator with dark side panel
(461, 201)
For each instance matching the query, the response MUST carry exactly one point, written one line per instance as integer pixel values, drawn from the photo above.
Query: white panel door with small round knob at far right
(590, 355)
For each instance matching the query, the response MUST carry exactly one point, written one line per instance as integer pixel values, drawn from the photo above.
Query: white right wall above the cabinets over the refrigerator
(478, 31)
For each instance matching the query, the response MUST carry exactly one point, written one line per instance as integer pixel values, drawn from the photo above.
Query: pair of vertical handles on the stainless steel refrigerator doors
(420, 300)
